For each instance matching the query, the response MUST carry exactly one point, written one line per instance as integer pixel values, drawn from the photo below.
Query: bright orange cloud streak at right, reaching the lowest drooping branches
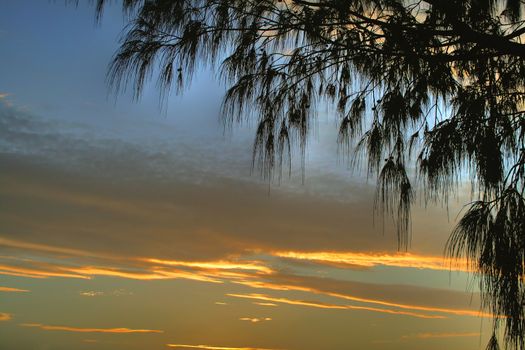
(367, 260)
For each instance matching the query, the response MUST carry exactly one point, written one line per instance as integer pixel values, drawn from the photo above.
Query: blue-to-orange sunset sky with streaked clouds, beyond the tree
(138, 225)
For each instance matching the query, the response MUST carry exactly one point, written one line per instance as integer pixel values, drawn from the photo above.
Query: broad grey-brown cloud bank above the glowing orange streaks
(64, 185)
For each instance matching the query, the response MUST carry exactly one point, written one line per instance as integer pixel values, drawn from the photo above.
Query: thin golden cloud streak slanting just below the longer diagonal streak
(321, 305)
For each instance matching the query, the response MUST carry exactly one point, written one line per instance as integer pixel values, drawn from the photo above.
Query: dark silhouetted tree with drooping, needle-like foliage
(437, 82)
